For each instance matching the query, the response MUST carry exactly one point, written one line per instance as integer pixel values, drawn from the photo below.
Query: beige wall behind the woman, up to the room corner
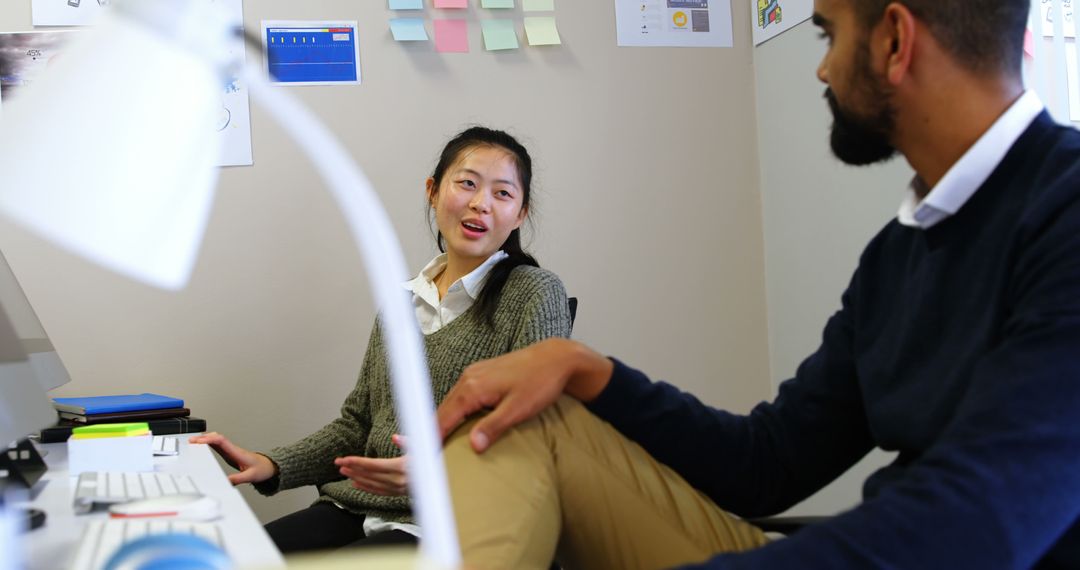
(649, 208)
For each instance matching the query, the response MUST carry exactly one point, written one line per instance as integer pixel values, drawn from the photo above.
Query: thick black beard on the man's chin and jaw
(862, 141)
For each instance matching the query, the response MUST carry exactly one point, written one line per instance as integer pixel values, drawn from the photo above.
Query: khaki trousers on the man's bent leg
(568, 482)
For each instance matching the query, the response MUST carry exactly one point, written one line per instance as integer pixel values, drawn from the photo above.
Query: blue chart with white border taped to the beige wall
(312, 52)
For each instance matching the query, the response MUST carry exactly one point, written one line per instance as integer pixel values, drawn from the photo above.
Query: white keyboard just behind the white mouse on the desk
(105, 488)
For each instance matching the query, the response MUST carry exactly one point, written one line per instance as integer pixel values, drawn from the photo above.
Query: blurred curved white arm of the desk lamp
(385, 265)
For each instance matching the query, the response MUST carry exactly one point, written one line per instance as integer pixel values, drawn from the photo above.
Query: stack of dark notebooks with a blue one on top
(164, 414)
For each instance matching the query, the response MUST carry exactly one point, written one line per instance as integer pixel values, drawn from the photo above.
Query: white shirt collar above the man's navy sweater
(969, 173)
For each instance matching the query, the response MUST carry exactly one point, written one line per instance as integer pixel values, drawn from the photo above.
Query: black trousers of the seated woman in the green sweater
(323, 526)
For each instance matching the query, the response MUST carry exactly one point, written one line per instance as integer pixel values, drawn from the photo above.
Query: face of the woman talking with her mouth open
(478, 203)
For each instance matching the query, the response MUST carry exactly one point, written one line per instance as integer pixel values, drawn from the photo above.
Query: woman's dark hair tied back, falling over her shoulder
(468, 140)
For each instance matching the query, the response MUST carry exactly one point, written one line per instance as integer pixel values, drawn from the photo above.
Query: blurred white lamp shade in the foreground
(109, 155)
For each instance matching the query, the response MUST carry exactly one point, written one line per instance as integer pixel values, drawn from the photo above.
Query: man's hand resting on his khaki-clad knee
(521, 385)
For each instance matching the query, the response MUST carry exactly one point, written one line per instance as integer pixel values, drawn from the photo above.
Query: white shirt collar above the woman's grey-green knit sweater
(434, 314)
